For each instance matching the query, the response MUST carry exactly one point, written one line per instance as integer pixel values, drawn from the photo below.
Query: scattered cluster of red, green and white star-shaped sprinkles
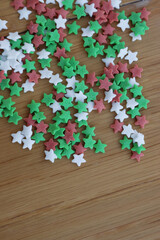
(73, 97)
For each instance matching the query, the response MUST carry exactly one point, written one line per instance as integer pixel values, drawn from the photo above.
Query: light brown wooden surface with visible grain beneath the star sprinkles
(111, 197)
